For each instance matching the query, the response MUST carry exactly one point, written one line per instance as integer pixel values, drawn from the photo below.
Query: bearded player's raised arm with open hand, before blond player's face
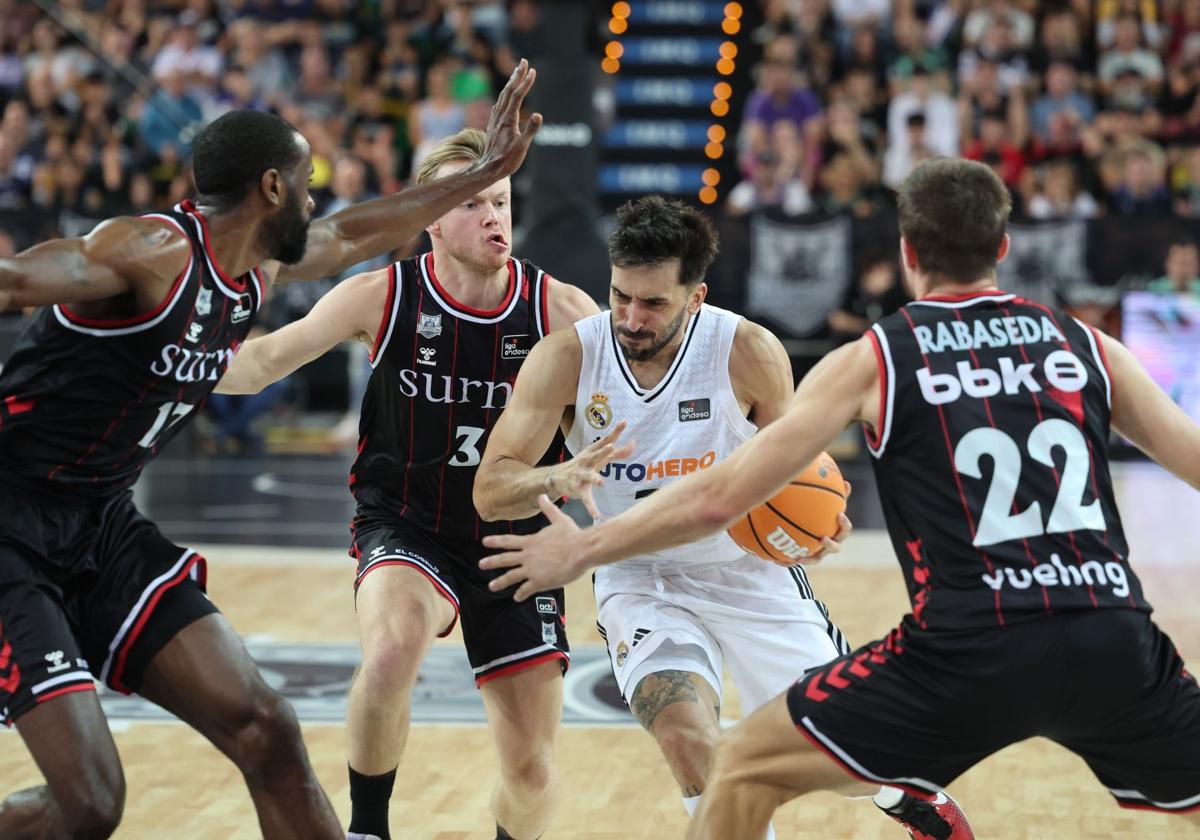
(381, 226)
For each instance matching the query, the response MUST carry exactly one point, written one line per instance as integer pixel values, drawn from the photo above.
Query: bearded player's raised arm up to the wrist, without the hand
(373, 229)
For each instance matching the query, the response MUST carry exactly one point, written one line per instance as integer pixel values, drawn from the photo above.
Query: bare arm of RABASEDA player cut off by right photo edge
(1144, 415)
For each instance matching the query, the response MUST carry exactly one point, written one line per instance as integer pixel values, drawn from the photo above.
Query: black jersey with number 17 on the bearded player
(86, 404)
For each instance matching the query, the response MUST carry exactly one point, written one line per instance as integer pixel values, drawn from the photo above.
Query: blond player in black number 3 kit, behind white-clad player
(448, 333)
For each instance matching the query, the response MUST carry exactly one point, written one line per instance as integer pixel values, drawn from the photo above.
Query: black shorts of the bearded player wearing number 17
(87, 590)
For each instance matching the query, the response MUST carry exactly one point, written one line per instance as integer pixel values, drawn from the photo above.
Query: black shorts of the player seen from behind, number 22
(921, 707)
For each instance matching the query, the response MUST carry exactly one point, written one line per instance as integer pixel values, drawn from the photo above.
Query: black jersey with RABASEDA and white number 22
(991, 454)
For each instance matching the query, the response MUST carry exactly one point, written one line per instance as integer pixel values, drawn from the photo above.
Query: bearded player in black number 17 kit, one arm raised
(141, 320)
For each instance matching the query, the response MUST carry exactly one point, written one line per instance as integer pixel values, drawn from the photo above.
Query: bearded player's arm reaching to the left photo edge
(122, 255)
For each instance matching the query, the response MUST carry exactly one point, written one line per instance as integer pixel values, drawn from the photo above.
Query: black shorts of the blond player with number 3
(502, 637)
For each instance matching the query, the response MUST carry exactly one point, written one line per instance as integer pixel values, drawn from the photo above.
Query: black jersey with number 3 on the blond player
(442, 375)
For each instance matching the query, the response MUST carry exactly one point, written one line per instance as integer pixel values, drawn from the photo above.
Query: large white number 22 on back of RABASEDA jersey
(997, 524)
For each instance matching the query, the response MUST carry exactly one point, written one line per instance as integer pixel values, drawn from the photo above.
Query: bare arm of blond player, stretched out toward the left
(351, 310)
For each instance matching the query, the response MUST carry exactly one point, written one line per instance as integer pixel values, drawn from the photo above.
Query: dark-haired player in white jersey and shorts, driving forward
(692, 382)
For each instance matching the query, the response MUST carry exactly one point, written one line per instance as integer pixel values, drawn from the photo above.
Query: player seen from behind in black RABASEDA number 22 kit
(988, 418)
